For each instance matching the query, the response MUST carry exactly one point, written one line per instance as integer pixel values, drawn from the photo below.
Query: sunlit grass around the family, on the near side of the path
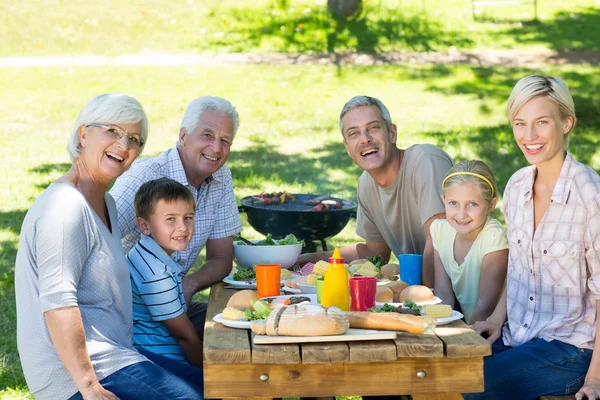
(288, 137)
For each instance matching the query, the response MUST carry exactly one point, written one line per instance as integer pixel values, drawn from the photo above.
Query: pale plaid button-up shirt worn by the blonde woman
(553, 274)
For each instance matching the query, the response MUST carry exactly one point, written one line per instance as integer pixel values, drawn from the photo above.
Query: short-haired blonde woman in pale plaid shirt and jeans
(544, 327)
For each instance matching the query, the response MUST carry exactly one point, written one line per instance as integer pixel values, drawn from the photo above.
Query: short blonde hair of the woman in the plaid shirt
(551, 87)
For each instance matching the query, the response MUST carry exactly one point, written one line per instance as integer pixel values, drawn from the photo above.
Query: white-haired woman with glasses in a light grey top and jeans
(74, 309)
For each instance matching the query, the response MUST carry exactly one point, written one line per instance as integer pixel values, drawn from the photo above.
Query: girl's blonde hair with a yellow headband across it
(466, 172)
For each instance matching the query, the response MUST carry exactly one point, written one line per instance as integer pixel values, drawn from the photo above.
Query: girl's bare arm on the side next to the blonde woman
(493, 275)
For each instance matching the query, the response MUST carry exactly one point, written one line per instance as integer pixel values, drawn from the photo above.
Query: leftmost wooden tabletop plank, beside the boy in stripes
(223, 345)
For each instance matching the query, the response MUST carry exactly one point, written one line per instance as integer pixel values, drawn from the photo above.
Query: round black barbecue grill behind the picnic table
(298, 218)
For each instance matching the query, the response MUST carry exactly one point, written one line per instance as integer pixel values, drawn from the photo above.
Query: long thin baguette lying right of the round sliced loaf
(391, 322)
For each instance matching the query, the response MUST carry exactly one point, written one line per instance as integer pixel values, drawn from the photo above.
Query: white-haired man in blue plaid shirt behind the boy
(198, 160)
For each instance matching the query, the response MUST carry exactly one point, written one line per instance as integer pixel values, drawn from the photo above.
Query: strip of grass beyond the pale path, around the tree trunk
(115, 27)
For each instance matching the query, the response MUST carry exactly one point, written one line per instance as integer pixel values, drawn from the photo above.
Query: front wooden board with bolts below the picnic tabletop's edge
(442, 375)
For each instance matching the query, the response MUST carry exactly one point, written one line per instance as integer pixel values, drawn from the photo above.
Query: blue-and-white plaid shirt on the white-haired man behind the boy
(216, 214)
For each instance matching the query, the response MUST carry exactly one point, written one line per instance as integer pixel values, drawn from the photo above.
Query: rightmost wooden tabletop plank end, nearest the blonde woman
(460, 341)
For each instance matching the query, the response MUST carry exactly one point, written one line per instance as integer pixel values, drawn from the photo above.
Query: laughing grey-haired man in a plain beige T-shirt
(399, 192)
